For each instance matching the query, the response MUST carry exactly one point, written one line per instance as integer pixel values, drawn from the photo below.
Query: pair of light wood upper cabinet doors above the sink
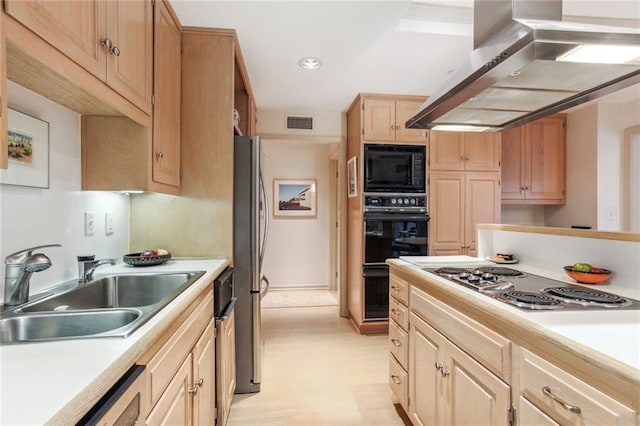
(110, 39)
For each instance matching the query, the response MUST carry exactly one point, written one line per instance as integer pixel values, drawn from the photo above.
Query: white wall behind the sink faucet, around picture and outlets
(33, 216)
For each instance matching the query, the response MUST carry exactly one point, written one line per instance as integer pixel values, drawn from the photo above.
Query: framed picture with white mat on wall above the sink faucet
(28, 151)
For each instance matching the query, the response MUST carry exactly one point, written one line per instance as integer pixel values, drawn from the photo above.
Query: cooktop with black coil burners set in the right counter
(532, 292)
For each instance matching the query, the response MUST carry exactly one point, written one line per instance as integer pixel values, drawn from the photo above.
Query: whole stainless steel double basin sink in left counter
(110, 306)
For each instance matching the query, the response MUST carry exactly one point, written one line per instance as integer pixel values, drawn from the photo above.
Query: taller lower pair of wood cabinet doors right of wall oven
(458, 201)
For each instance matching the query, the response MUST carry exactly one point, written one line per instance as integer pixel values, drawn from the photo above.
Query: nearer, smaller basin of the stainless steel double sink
(53, 326)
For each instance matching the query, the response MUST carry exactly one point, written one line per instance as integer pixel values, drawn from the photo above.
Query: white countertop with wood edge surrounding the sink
(55, 382)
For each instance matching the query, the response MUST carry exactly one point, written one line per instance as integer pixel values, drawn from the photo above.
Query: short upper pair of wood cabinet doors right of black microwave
(464, 151)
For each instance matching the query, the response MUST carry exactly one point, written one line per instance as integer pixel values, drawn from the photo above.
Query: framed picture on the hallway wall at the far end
(294, 198)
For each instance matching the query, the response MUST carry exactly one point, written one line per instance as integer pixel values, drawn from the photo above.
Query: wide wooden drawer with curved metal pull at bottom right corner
(555, 391)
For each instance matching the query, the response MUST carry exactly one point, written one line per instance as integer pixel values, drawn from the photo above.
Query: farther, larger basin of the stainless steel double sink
(116, 291)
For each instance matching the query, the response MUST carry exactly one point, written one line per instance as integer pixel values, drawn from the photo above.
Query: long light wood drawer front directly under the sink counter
(164, 364)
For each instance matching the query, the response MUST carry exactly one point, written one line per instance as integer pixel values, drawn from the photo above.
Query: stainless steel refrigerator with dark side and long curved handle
(250, 225)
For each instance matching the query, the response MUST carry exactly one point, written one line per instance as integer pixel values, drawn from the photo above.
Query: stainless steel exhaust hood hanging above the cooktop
(527, 64)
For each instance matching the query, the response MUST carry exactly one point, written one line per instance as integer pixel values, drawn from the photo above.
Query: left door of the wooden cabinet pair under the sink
(174, 406)
